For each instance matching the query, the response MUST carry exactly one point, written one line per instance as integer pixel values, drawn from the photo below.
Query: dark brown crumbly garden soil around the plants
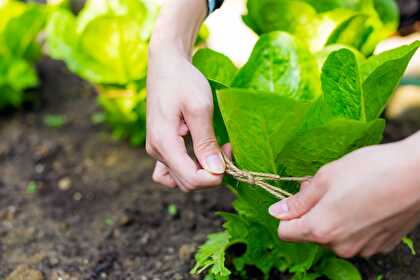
(96, 214)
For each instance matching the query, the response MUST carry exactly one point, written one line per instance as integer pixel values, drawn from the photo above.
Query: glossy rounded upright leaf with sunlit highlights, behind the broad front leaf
(282, 65)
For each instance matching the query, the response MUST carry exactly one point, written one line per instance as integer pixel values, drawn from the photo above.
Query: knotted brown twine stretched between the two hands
(261, 179)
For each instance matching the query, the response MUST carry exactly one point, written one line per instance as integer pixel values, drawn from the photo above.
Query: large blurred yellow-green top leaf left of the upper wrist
(119, 56)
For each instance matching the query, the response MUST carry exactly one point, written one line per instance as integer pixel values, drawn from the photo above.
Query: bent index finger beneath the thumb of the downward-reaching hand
(181, 165)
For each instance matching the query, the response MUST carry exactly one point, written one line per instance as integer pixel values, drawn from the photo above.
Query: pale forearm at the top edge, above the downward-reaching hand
(177, 26)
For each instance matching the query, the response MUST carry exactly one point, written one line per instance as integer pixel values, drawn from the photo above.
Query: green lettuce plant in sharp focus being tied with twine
(289, 111)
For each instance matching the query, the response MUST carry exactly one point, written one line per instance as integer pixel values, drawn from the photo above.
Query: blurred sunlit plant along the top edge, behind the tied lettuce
(357, 23)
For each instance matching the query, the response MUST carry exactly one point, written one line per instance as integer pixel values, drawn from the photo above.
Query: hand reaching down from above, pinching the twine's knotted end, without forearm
(180, 101)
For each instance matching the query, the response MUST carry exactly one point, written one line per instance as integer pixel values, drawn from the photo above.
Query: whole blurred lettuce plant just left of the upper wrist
(106, 44)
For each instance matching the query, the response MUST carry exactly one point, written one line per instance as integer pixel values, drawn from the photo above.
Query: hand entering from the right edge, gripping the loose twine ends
(361, 204)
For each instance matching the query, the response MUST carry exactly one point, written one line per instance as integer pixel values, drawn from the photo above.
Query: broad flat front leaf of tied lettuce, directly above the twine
(257, 146)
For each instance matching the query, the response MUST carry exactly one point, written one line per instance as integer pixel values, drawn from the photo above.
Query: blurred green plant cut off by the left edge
(20, 25)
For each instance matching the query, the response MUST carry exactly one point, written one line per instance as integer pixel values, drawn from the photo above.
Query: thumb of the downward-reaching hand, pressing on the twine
(200, 123)
